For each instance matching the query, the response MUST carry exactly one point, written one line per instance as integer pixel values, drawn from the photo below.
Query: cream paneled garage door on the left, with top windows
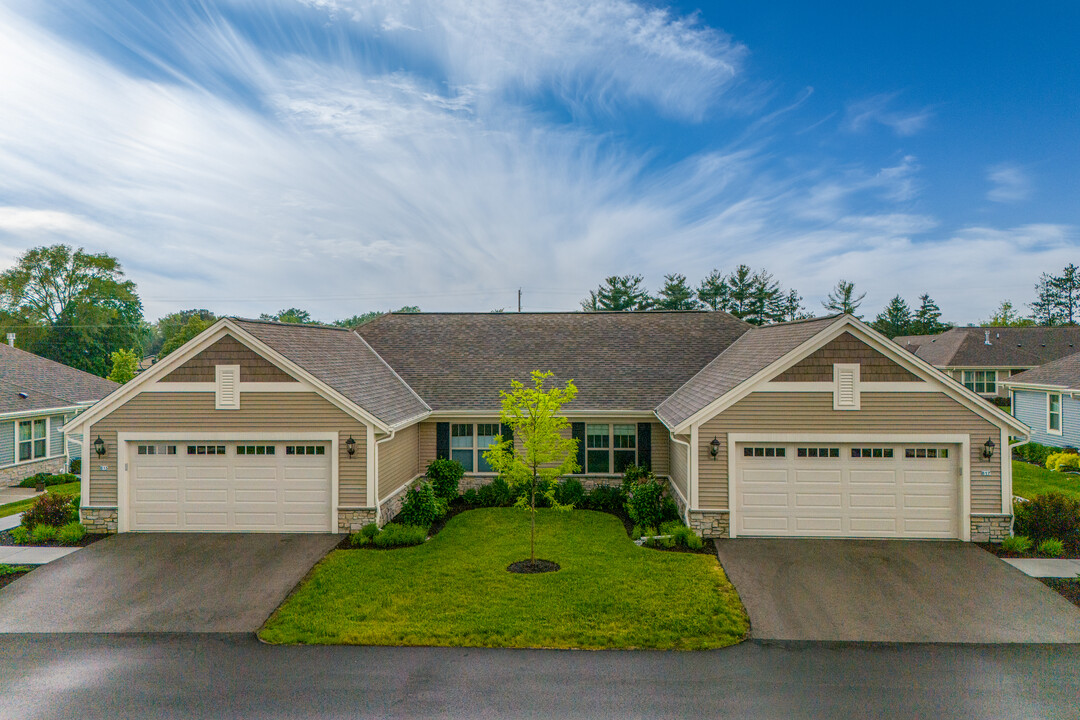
(229, 487)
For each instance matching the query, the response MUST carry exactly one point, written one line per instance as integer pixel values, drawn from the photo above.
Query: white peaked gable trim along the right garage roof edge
(887, 348)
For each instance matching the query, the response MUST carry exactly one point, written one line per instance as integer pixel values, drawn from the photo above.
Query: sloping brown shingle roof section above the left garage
(344, 361)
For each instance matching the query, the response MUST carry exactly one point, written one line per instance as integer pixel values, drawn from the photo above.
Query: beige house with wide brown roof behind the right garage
(983, 358)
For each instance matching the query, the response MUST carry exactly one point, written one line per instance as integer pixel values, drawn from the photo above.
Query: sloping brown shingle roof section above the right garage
(751, 354)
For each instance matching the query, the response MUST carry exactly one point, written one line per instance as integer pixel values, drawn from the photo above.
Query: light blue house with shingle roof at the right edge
(1046, 400)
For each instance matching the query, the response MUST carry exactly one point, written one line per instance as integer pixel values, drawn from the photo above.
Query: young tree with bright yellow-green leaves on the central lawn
(538, 453)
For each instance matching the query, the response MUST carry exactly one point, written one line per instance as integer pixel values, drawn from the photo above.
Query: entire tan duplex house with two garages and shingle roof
(819, 428)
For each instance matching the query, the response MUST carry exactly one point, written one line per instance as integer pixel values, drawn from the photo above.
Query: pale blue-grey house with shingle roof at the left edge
(37, 398)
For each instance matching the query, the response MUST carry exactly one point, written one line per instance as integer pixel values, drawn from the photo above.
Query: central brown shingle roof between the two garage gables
(618, 361)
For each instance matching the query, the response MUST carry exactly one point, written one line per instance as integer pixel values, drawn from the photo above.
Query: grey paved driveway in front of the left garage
(164, 583)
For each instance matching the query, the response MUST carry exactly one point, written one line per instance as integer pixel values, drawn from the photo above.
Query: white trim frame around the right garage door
(944, 439)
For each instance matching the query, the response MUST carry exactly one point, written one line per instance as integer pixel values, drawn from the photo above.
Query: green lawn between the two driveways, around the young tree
(455, 591)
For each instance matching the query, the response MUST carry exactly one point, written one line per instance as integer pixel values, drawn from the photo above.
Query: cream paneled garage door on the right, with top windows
(847, 491)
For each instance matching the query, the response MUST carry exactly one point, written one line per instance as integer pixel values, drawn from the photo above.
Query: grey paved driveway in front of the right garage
(892, 592)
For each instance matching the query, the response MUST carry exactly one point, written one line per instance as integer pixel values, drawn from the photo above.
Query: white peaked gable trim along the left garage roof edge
(200, 343)
